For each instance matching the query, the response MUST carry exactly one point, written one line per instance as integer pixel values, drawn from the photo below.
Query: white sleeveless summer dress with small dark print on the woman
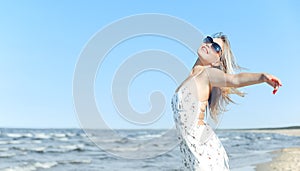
(200, 147)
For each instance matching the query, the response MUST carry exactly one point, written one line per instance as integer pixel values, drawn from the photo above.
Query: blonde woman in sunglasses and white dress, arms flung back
(207, 89)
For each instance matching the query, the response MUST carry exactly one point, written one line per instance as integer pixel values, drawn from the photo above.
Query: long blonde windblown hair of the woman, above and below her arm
(220, 97)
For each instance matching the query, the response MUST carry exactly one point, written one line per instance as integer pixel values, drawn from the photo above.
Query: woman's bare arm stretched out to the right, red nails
(218, 78)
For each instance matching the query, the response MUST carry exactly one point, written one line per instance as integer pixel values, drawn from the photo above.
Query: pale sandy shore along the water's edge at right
(285, 159)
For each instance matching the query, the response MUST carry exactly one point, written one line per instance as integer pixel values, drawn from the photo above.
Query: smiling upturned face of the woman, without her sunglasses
(207, 54)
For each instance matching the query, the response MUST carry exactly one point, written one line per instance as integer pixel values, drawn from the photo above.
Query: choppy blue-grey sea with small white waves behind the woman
(74, 149)
